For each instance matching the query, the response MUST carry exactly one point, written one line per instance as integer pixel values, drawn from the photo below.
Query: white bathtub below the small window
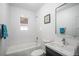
(22, 50)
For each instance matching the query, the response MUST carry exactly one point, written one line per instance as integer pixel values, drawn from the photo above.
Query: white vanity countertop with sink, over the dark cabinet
(61, 49)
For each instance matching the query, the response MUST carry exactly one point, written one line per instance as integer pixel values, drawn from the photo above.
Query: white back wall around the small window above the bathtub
(17, 36)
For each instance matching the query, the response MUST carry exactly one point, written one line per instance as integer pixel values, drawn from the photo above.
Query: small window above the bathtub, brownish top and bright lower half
(23, 23)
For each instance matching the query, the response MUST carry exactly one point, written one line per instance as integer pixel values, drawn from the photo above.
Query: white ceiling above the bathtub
(30, 6)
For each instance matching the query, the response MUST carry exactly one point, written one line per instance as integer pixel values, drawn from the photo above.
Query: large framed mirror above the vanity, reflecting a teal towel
(67, 19)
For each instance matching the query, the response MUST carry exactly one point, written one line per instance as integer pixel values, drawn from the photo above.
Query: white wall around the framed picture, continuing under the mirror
(47, 31)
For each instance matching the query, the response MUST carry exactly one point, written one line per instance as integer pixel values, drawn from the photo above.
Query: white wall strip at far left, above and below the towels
(3, 20)
